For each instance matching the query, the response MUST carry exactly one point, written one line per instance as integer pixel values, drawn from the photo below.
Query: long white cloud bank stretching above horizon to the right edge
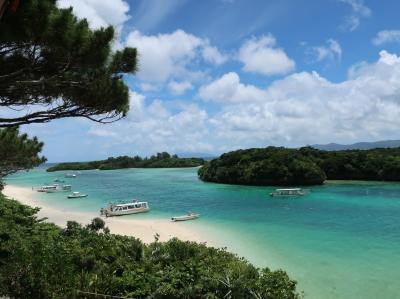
(302, 108)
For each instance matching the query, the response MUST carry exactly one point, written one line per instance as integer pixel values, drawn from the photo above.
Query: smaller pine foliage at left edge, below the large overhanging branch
(18, 152)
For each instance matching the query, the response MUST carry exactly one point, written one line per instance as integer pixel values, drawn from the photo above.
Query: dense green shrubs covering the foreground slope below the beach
(41, 260)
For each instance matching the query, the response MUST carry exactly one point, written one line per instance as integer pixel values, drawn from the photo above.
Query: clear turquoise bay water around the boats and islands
(340, 241)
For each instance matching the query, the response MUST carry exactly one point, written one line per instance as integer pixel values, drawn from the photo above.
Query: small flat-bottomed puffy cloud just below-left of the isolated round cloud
(229, 89)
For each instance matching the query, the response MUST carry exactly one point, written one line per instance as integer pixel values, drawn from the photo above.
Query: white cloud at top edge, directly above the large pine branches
(99, 13)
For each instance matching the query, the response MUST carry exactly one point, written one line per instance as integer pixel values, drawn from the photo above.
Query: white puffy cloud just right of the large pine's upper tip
(171, 55)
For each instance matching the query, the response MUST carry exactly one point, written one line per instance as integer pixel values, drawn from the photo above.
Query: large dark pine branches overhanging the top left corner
(52, 61)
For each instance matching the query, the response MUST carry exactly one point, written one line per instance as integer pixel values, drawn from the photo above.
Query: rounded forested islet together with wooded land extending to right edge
(279, 166)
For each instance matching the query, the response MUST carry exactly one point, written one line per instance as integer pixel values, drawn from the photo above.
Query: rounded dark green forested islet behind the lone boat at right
(269, 166)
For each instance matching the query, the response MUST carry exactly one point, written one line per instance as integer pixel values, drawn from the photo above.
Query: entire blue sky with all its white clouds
(218, 75)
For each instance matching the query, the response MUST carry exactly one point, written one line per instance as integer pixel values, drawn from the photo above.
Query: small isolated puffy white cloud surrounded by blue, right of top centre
(259, 55)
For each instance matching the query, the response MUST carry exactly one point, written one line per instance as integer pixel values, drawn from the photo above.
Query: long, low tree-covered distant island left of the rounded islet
(160, 160)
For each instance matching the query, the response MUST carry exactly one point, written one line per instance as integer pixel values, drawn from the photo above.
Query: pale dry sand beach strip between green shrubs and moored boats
(144, 229)
